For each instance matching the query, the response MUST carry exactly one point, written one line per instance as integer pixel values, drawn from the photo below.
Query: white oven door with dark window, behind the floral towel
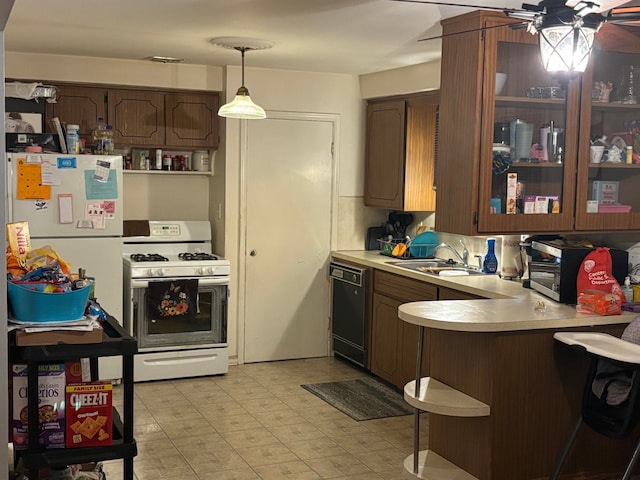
(205, 328)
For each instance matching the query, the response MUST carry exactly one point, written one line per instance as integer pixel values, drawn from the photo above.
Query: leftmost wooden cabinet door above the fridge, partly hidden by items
(79, 105)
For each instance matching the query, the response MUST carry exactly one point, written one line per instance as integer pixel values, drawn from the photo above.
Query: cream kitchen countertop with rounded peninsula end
(508, 306)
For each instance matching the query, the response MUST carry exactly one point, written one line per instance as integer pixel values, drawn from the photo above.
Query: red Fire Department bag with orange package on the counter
(598, 291)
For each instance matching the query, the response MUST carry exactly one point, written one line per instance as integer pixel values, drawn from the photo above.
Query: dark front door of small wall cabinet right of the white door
(385, 151)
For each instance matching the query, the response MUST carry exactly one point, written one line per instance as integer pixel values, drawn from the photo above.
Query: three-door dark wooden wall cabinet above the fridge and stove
(142, 117)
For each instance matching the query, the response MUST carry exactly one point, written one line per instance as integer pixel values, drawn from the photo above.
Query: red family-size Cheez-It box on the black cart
(89, 414)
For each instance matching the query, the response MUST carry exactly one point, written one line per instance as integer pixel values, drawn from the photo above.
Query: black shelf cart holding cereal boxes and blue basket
(116, 342)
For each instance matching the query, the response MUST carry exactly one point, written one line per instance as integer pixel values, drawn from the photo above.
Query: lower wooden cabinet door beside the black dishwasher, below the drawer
(385, 337)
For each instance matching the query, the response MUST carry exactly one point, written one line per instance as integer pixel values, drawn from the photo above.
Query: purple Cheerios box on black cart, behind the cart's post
(51, 397)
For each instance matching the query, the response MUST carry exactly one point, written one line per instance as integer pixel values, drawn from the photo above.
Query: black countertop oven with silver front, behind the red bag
(554, 266)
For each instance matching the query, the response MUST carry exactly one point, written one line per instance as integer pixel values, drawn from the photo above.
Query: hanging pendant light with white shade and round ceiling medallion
(242, 106)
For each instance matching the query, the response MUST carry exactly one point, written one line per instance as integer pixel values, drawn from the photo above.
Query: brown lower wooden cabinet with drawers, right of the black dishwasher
(394, 342)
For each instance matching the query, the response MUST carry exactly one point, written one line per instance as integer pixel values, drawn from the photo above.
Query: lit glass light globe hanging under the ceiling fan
(566, 48)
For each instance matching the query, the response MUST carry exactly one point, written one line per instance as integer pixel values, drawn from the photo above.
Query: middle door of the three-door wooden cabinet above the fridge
(137, 117)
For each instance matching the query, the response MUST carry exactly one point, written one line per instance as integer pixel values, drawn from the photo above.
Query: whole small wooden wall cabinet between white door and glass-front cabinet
(400, 152)
